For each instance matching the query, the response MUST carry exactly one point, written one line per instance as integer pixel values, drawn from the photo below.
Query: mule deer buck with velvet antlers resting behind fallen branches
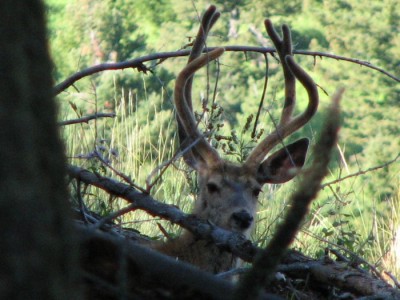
(228, 192)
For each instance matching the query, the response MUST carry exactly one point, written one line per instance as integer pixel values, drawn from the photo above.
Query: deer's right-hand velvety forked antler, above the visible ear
(287, 124)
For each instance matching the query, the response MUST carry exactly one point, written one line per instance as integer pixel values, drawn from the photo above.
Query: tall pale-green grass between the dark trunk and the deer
(134, 144)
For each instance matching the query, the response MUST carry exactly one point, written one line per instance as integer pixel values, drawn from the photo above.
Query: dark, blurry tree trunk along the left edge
(37, 260)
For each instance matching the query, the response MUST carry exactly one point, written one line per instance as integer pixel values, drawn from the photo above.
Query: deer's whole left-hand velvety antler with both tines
(187, 126)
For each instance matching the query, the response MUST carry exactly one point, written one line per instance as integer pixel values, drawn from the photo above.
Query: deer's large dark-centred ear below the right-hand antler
(283, 165)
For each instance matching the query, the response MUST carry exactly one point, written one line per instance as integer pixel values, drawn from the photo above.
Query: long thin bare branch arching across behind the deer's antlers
(138, 63)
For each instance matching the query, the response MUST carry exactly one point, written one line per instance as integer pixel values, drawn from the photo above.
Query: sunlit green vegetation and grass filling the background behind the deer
(359, 214)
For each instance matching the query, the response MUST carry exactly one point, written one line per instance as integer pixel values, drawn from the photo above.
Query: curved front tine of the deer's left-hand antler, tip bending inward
(185, 114)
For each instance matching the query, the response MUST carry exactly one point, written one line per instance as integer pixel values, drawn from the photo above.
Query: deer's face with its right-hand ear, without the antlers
(228, 193)
